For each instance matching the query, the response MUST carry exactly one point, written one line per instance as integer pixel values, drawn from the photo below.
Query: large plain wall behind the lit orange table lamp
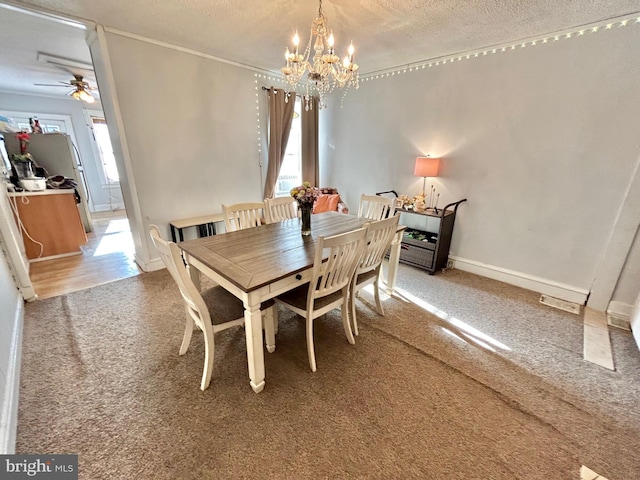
(542, 141)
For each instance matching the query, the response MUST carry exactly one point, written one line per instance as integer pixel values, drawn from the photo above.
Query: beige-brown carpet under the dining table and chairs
(418, 396)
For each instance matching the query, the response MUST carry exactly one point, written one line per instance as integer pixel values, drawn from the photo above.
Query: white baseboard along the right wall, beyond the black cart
(523, 280)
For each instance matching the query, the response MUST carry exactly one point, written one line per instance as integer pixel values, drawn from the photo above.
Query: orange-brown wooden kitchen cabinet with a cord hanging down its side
(50, 218)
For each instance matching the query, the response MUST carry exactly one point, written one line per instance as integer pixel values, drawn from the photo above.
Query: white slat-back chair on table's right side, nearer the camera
(329, 284)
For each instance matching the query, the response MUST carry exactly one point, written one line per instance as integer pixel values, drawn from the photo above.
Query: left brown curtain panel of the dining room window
(281, 107)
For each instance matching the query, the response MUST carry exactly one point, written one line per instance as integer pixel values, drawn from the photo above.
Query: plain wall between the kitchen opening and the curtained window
(190, 130)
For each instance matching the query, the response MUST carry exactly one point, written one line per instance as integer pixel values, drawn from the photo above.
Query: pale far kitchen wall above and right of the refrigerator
(101, 197)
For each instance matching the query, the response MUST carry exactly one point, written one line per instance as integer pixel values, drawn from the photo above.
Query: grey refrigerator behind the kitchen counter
(58, 155)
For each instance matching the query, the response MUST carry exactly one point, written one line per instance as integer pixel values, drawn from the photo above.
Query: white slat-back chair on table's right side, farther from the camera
(379, 237)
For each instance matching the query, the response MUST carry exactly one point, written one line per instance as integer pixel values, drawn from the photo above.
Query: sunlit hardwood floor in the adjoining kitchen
(107, 256)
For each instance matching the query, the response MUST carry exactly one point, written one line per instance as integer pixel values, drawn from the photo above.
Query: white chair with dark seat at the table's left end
(212, 310)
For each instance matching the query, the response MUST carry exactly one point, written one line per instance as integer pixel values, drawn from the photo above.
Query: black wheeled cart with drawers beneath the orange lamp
(427, 244)
